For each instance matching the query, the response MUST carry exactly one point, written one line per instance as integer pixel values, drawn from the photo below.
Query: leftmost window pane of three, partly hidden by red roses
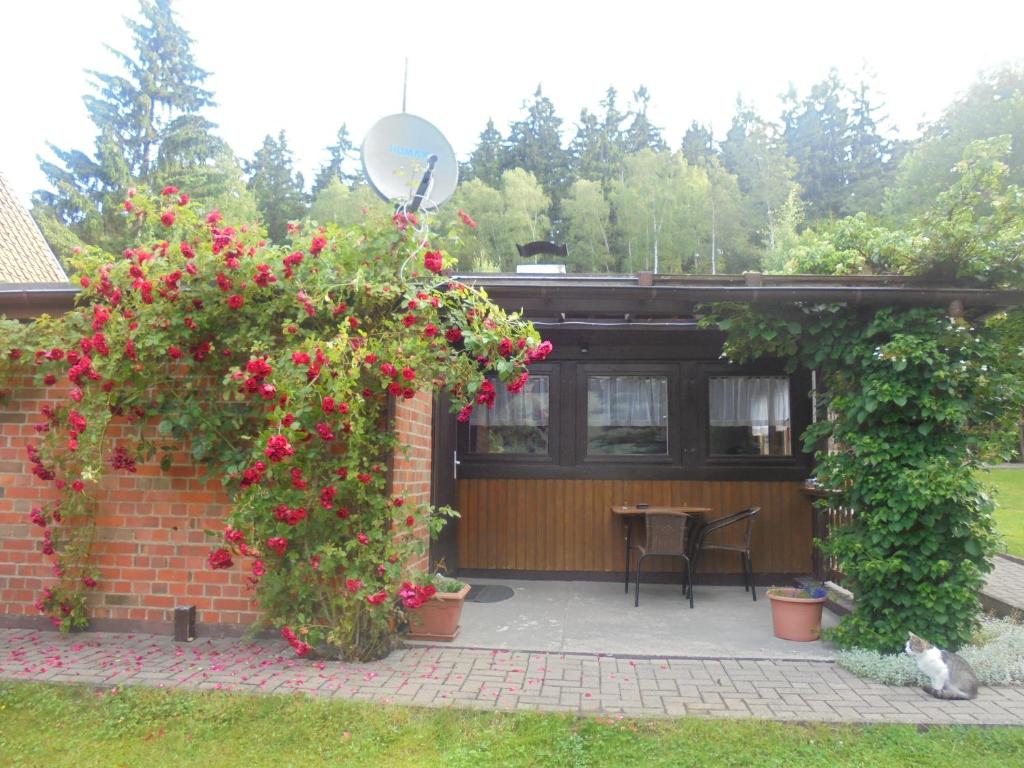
(518, 423)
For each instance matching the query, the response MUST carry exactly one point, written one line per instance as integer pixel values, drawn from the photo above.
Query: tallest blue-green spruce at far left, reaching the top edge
(151, 133)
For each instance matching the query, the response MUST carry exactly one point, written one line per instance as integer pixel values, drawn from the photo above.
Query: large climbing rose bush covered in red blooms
(276, 367)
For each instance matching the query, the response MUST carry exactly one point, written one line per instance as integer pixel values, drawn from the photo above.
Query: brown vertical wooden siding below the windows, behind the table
(567, 526)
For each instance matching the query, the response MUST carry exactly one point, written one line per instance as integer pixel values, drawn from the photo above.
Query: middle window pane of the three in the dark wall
(628, 415)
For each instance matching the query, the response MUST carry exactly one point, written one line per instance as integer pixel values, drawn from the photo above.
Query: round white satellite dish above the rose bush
(409, 161)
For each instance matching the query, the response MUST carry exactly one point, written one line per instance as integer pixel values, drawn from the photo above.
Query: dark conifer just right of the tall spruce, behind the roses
(278, 189)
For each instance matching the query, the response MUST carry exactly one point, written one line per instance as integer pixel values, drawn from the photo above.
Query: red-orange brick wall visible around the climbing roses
(151, 548)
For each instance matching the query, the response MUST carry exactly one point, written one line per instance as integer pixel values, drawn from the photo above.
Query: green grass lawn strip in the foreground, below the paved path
(51, 726)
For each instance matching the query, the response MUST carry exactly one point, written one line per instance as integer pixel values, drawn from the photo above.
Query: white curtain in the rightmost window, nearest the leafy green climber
(756, 402)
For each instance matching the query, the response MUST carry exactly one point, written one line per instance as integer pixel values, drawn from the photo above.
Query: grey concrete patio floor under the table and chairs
(599, 618)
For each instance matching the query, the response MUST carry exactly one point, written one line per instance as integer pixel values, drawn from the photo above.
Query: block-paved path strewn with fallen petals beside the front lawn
(434, 676)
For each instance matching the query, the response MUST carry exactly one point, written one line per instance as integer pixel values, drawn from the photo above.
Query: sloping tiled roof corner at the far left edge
(25, 257)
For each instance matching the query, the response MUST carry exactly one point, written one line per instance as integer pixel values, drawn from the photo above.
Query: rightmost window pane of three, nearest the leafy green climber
(750, 416)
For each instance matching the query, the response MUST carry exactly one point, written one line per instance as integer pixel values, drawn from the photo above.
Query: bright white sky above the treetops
(308, 67)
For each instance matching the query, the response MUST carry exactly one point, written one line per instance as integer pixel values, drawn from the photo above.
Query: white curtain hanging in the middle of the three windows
(627, 401)
